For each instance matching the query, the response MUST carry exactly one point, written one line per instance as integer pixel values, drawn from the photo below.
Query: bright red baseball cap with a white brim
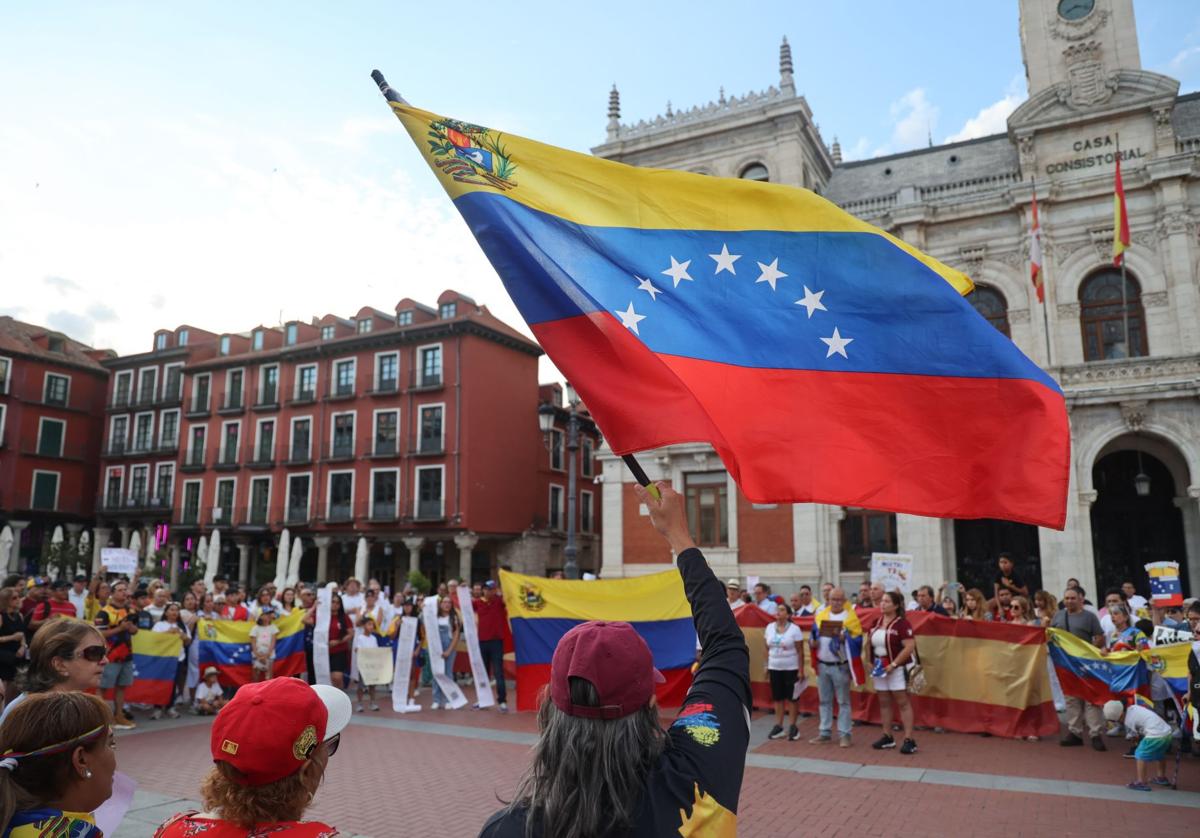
(271, 728)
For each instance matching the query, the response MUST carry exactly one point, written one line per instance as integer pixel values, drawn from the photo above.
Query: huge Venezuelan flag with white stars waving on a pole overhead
(824, 360)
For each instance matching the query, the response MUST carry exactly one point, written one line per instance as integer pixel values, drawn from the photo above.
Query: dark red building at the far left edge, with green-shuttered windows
(52, 408)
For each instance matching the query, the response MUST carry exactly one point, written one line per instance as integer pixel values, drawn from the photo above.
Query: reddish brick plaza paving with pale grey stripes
(443, 773)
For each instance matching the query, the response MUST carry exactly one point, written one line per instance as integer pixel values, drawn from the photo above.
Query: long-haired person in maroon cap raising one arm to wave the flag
(688, 786)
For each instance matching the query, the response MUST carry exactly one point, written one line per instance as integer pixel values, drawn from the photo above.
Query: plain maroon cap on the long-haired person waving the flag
(617, 662)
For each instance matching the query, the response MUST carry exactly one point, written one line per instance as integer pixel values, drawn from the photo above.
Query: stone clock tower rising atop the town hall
(1078, 47)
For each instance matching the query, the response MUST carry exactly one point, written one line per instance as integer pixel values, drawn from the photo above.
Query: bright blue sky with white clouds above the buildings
(230, 165)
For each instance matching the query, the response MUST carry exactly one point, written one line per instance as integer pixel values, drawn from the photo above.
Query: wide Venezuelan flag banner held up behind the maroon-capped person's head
(543, 610)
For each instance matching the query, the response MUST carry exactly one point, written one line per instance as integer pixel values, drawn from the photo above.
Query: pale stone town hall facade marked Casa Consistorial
(1133, 403)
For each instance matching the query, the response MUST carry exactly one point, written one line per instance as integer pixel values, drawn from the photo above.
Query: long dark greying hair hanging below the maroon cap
(587, 776)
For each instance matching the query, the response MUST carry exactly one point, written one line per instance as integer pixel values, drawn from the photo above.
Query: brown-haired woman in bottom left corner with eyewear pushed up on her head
(57, 764)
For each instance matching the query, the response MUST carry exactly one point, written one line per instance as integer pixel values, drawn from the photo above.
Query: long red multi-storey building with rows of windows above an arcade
(416, 429)
